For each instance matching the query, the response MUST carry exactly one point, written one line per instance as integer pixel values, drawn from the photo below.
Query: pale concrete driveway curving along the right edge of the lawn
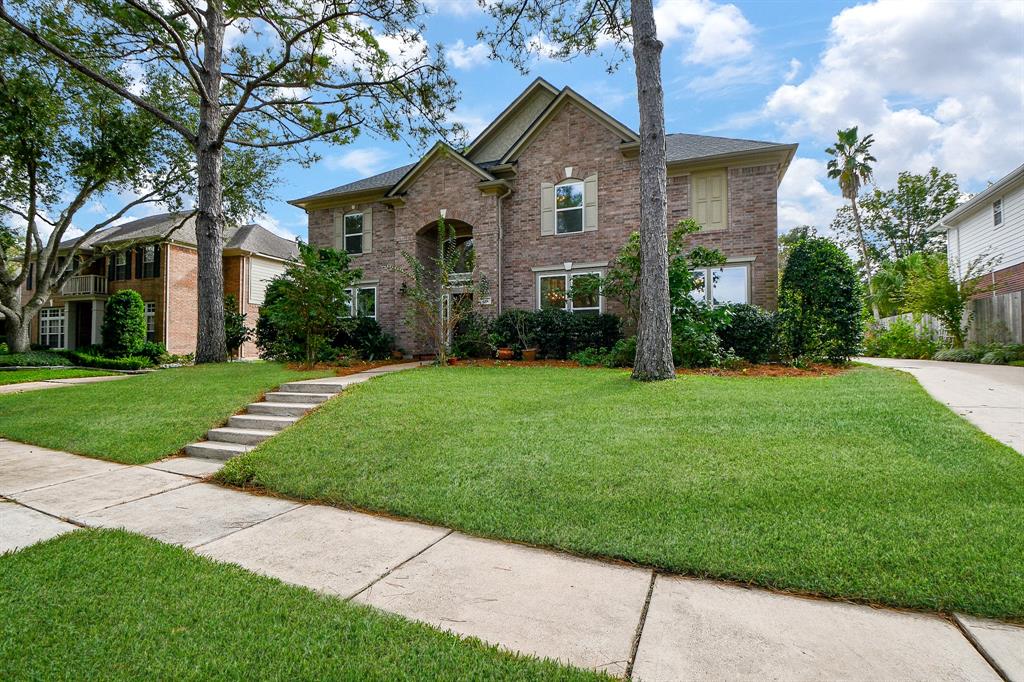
(991, 397)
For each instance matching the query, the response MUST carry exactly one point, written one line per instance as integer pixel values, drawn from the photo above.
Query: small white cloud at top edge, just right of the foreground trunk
(716, 32)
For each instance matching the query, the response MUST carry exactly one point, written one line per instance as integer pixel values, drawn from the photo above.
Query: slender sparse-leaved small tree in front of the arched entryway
(435, 309)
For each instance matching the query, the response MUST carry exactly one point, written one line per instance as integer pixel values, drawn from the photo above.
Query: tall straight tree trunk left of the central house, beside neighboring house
(211, 346)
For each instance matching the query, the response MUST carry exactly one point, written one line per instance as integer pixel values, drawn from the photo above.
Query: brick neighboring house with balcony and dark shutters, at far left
(157, 258)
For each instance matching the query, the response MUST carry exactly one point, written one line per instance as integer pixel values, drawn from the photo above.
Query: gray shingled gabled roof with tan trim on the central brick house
(680, 148)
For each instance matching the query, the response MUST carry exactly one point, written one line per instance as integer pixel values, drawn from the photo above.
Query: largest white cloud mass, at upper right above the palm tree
(936, 84)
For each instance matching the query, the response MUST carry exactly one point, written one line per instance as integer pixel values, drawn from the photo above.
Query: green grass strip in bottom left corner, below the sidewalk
(110, 606)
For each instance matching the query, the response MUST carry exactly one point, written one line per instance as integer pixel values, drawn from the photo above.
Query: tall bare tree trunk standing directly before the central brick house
(654, 361)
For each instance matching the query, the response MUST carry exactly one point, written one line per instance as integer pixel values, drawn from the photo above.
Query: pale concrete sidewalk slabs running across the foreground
(624, 620)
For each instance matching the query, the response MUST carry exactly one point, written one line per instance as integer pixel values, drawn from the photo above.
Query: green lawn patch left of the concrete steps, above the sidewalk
(144, 418)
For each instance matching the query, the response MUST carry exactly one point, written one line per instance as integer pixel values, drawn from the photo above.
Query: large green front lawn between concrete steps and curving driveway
(858, 486)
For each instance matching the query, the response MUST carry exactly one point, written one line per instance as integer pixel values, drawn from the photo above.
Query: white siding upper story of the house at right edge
(991, 226)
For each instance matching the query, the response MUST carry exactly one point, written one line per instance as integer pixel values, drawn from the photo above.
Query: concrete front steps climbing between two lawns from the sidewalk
(279, 410)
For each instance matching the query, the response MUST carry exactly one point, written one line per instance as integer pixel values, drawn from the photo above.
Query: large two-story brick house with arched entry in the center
(547, 193)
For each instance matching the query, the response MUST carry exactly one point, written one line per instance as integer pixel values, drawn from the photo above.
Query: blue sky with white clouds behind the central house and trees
(937, 83)
